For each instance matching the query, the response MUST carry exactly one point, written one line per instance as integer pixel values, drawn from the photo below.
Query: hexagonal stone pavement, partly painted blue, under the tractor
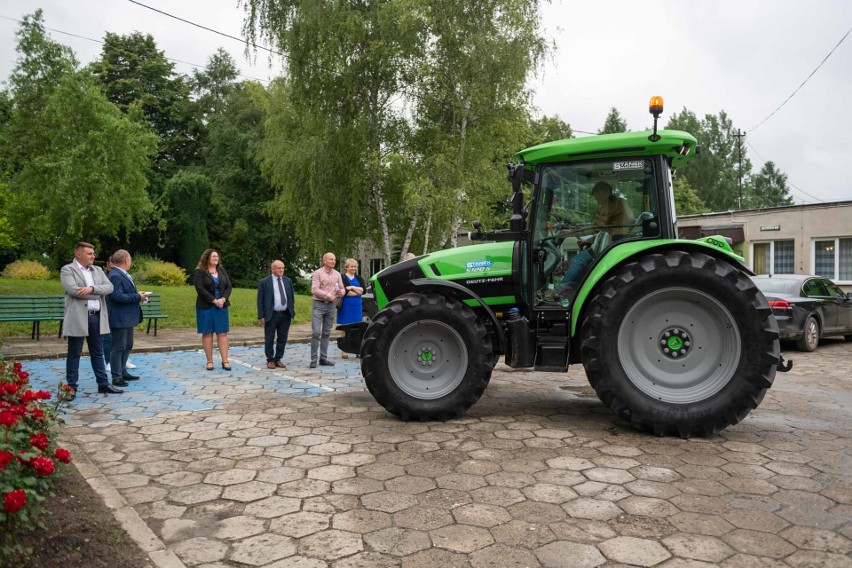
(301, 468)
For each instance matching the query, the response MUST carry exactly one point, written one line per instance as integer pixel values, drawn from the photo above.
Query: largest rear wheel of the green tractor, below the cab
(680, 343)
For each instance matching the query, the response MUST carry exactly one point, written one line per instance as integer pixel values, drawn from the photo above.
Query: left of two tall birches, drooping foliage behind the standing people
(336, 122)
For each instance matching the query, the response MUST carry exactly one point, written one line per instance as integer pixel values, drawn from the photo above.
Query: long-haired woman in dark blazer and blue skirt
(211, 307)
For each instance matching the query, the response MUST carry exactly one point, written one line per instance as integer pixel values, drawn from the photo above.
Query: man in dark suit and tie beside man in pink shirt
(276, 308)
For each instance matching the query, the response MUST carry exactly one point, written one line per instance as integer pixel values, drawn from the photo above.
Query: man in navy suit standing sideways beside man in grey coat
(124, 315)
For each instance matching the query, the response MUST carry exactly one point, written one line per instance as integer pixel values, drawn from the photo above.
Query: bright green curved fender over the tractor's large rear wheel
(715, 246)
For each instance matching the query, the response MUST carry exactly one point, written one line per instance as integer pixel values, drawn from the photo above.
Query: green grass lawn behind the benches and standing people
(178, 304)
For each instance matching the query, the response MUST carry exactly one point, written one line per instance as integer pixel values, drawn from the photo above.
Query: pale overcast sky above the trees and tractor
(744, 57)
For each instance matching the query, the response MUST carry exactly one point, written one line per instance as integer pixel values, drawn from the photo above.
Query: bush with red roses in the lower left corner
(29, 454)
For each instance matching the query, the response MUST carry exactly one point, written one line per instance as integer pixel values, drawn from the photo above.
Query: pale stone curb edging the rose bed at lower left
(136, 528)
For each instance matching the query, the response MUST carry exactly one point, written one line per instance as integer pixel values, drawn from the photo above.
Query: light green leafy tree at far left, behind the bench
(79, 162)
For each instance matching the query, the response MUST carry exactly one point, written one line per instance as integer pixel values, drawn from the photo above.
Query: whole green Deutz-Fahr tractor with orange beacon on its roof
(674, 336)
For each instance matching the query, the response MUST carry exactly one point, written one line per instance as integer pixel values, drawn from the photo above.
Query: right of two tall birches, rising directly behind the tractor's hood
(472, 109)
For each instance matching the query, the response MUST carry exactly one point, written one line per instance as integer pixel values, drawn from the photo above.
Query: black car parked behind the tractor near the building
(807, 308)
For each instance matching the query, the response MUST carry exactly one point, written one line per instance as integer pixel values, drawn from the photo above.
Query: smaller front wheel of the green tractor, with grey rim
(426, 357)
